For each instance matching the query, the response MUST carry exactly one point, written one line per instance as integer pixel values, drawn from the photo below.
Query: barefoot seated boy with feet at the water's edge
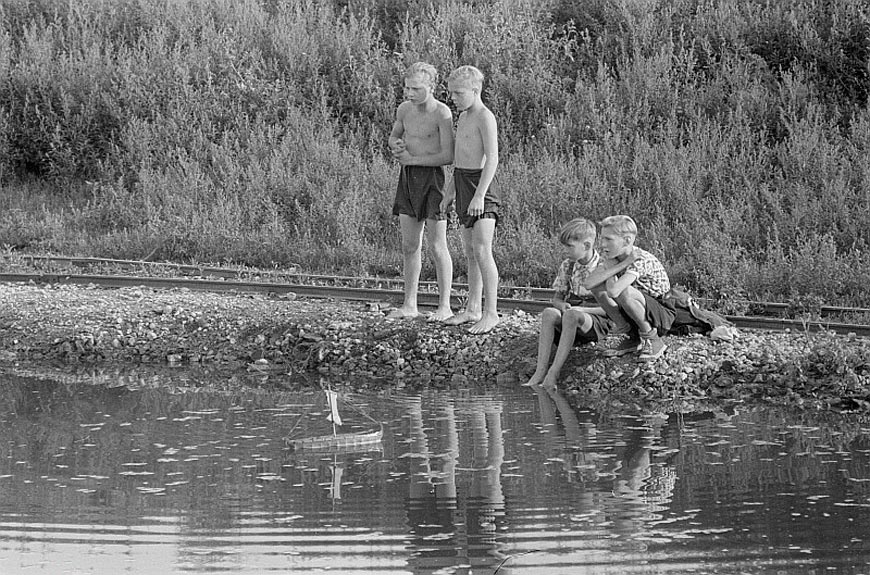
(575, 318)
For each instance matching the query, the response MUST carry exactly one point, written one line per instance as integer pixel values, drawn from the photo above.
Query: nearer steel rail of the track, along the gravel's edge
(377, 294)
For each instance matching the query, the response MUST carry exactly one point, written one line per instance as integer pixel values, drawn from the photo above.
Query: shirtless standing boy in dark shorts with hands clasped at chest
(422, 141)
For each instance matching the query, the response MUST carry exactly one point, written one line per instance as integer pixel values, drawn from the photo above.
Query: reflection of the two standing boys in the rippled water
(451, 529)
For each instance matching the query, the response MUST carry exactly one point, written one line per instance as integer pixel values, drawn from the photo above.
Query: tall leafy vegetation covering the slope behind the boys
(736, 132)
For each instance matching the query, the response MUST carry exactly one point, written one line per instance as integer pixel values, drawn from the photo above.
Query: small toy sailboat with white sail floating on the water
(346, 436)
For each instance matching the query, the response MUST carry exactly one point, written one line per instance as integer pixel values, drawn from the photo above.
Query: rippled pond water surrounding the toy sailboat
(159, 477)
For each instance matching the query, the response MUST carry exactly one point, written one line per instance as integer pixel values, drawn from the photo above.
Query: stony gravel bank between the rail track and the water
(281, 335)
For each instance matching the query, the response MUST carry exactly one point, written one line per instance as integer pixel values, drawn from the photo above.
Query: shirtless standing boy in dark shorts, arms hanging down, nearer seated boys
(477, 201)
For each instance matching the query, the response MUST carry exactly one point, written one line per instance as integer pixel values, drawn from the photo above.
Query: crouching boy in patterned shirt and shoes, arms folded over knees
(629, 286)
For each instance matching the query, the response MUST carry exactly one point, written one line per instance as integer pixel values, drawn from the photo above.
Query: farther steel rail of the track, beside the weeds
(533, 293)
